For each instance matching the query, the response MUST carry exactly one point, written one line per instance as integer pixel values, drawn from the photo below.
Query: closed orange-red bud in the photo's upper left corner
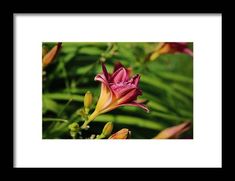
(50, 56)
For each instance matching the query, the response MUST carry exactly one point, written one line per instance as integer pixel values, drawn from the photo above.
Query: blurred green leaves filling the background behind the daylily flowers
(167, 84)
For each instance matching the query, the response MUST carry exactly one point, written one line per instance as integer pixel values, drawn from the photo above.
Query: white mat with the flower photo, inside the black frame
(109, 90)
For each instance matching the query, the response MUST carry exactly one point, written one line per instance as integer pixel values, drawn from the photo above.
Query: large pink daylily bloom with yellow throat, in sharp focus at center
(117, 89)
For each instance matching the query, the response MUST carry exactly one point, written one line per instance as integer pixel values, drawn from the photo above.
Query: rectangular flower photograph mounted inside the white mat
(117, 90)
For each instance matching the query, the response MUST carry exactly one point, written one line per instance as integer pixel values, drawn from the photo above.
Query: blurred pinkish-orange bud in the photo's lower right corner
(174, 132)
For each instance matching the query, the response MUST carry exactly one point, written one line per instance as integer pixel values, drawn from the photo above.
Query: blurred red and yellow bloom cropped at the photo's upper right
(170, 47)
